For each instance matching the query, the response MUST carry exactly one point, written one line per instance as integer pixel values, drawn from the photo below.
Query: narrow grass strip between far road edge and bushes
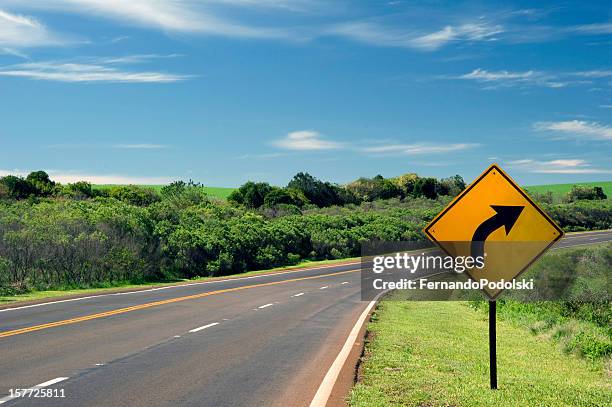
(39, 295)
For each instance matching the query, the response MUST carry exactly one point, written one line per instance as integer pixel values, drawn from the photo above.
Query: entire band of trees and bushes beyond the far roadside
(60, 236)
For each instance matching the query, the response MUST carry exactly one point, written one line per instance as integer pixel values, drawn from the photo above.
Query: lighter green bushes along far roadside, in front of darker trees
(57, 243)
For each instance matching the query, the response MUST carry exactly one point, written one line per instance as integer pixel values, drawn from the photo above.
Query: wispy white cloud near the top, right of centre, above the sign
(376, 34)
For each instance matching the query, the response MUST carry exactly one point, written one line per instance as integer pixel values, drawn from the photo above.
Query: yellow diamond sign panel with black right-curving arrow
(494, 216)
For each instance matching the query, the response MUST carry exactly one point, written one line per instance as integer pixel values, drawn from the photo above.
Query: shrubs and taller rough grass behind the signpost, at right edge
(580, 318)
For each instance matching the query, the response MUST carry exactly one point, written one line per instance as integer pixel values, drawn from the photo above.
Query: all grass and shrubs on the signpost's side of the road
(550, 353)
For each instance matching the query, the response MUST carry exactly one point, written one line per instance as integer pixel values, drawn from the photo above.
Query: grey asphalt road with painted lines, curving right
(251, 341)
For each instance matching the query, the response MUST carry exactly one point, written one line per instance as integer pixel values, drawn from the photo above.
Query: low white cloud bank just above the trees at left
(66, 177)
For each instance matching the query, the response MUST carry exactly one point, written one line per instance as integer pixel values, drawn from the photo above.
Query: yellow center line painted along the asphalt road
(155, 304)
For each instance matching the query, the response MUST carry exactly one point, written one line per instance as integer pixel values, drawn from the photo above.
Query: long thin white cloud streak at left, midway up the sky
(80, 72)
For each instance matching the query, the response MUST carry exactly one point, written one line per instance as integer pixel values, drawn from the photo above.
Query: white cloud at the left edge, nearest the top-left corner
(18, 31)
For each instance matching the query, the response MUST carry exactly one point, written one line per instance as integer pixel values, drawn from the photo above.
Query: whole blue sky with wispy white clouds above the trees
(225, 91)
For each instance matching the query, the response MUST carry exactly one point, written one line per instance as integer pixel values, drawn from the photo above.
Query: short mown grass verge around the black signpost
(436, 354)
